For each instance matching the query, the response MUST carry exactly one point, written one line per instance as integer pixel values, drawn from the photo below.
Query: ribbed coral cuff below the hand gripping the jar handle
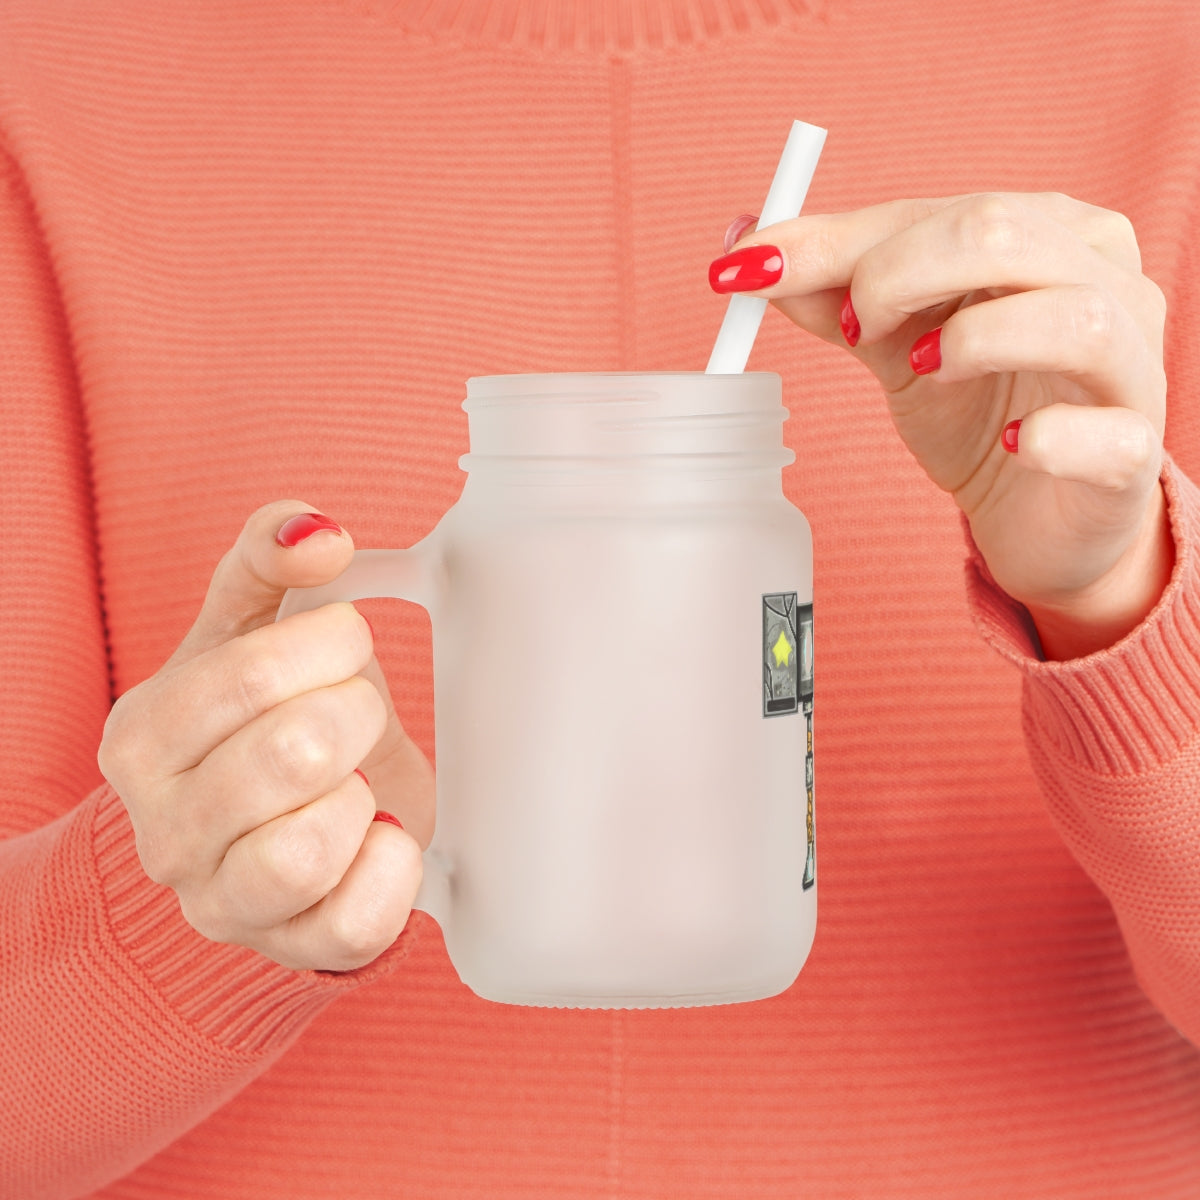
(233, 997)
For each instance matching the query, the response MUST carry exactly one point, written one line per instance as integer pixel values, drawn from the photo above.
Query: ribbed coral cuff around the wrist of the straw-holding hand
(1127, 709)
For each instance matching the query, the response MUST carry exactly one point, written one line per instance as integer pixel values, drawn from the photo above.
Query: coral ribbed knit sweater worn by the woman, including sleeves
(253, 251)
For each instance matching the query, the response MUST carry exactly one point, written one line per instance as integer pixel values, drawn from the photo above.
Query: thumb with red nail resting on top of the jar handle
(286, 544)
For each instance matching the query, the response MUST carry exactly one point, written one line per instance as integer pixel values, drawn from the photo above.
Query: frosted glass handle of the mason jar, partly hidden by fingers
(401, 575)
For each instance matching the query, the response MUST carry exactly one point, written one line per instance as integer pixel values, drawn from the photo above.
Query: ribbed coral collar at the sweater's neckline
(615, 26)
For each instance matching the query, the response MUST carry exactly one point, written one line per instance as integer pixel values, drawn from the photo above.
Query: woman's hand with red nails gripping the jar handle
(238, 763)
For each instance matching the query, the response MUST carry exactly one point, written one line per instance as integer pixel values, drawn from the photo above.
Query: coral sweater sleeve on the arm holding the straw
(1115, 742)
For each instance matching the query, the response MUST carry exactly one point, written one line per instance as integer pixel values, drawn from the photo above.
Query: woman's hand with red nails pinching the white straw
(980, 313)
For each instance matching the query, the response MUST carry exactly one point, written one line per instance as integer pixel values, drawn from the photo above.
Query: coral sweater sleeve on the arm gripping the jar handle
(121, 1028)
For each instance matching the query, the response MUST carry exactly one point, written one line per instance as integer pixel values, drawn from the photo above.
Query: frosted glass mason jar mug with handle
(622, 611)
